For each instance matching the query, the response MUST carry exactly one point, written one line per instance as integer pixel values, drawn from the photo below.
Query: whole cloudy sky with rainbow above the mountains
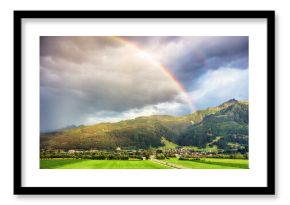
(92, 79)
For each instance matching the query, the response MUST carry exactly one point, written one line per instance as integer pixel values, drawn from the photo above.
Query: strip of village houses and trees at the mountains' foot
(180, 153)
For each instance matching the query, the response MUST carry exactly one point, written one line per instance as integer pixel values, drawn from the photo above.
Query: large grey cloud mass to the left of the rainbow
(113, 78)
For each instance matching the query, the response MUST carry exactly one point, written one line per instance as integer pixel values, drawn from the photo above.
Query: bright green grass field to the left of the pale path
(99, 164)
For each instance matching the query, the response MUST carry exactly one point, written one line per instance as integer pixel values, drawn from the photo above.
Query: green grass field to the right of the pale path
(212, 163)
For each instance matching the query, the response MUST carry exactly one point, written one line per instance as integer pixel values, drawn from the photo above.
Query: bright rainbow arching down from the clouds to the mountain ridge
(163, 68)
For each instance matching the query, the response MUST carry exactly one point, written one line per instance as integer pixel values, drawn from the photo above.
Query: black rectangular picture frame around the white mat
(268, 190)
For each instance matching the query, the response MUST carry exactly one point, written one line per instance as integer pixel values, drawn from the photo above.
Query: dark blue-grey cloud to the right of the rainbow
(196, 55)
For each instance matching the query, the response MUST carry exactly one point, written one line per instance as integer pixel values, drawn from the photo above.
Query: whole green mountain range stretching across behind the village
(224, 126)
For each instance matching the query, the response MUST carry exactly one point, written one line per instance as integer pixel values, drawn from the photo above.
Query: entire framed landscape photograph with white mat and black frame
(144, 102)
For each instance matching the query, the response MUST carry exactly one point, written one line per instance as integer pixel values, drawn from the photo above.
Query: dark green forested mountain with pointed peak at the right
(226, 128)
